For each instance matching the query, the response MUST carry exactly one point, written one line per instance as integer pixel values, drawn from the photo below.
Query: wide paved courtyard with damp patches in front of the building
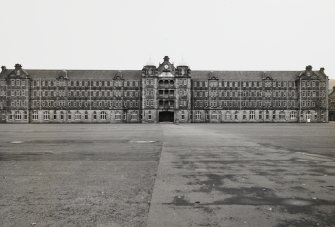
(167, 175)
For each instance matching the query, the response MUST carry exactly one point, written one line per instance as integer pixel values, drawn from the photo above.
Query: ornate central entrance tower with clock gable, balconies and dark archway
(166, 93)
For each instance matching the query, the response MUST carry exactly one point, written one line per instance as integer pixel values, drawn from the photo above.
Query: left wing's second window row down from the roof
(63, 93)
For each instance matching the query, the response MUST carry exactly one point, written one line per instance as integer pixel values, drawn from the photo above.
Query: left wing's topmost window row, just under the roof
(86, 83)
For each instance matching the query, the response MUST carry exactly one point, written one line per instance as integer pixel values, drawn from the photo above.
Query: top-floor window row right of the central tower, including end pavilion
(308, 83)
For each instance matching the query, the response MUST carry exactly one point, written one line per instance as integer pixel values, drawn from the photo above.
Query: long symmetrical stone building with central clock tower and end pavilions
(163, 93)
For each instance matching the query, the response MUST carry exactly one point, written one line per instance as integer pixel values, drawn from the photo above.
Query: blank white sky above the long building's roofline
(212, 34)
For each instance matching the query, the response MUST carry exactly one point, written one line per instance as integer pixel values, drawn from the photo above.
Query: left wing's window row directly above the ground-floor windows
(94, 104)
